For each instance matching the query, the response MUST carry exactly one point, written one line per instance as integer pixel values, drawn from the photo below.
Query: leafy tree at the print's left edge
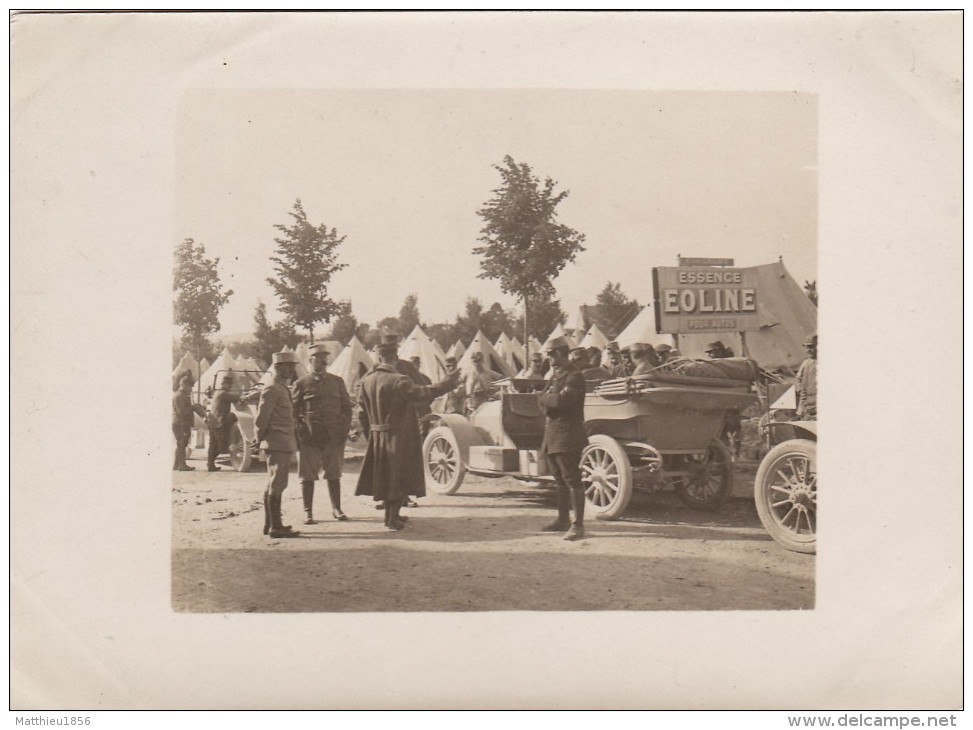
(199, 296)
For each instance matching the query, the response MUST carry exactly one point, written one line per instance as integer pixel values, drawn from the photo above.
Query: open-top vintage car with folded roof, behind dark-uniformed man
(643, 432)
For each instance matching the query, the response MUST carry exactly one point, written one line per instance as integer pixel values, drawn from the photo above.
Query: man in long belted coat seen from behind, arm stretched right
(392, 469)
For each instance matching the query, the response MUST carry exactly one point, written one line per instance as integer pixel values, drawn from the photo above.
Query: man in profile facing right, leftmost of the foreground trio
(275, 433)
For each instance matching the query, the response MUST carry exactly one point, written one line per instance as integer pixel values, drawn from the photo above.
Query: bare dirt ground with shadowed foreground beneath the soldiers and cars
(477, 550)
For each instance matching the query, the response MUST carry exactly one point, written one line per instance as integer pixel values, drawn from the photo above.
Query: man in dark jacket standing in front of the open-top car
(565, 439)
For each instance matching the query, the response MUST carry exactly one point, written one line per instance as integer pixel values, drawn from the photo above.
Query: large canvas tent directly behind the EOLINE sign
(787, 318)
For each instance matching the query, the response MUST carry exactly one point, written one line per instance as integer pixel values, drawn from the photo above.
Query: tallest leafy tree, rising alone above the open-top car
(523, 244)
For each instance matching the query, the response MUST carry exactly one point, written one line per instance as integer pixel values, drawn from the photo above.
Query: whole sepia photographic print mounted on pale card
(468, 346)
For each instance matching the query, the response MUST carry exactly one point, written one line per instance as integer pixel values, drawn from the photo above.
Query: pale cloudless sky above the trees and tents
(401, 174)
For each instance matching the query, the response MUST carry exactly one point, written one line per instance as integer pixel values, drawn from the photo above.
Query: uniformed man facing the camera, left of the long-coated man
(323, 412)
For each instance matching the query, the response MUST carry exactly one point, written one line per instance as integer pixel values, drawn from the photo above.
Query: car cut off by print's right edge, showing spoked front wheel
(786, 487)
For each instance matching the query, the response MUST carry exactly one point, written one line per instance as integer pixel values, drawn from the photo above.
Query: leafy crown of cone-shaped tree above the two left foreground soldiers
(305, 261)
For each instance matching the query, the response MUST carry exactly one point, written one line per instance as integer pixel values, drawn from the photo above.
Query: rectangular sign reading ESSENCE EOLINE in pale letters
(704, 299)
